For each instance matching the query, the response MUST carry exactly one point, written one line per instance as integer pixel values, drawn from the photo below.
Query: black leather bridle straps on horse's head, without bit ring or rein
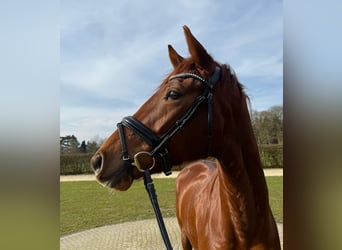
(158, 144)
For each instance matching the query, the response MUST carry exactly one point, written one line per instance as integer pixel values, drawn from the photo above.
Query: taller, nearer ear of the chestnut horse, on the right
(198, 52)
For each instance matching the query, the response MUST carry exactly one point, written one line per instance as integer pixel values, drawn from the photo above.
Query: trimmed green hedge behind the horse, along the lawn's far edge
(271, 157)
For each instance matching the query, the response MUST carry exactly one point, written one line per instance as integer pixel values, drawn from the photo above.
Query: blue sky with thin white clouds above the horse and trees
(113, 54)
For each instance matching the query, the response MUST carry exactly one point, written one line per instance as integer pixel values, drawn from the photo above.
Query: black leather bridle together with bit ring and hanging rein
(158, 144)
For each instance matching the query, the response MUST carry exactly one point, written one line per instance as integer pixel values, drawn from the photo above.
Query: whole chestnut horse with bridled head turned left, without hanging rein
(199, 110)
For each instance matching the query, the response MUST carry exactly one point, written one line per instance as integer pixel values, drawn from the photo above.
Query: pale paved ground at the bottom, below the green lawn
(135, 235)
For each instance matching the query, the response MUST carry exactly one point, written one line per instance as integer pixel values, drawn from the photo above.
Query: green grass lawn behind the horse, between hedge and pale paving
(86, 204)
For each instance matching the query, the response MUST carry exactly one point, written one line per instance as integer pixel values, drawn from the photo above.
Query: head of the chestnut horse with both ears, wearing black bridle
(182, 121)
